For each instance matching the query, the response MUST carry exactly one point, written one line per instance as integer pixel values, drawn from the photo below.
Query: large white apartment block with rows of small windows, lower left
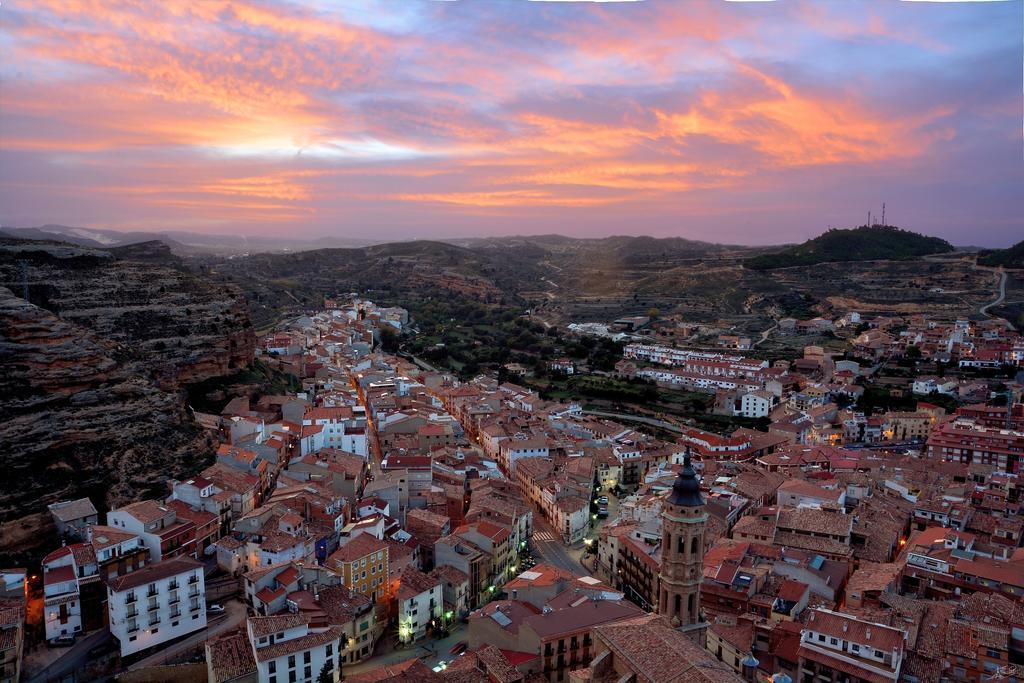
(158, 604)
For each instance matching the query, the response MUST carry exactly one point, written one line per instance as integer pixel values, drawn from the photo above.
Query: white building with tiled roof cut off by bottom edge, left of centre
(287, 650)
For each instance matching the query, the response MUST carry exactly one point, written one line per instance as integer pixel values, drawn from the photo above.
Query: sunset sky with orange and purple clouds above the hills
(730, 122)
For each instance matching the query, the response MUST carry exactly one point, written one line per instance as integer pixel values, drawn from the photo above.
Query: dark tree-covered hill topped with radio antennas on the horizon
(860, 244)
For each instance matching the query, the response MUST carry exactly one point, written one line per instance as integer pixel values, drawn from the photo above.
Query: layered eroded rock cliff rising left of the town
(93, 372)
